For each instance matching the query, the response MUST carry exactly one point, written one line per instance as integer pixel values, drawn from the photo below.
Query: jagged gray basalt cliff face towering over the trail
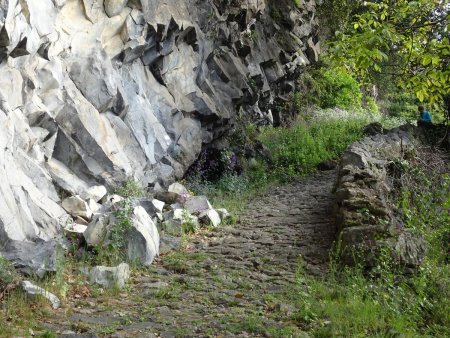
(93, 92)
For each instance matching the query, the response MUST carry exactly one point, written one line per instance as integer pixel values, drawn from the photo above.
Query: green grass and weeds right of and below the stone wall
(385, 303)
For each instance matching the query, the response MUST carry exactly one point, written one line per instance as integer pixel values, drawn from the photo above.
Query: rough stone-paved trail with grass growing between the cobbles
(227, 283)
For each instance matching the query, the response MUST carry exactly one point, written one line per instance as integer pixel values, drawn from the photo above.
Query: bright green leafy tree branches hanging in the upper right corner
(405, 41)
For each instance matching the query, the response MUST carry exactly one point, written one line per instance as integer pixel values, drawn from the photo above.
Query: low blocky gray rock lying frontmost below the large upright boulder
(110, 276)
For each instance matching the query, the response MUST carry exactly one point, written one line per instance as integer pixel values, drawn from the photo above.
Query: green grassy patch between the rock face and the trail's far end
(296, 151)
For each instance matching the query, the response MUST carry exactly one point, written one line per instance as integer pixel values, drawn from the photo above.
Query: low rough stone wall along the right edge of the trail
(365, 215)
